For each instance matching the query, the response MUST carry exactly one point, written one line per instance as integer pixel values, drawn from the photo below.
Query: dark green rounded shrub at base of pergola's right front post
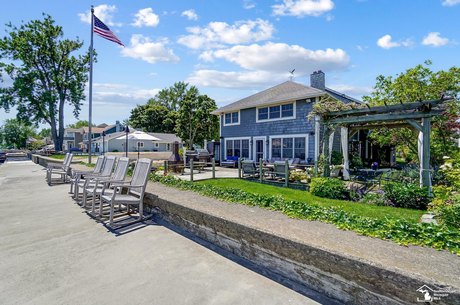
(407, 195)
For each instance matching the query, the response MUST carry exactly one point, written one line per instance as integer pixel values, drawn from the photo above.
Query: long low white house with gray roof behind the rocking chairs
(115, 142)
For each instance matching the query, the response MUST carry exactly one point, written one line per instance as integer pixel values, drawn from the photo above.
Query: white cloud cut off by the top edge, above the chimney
(300, 8)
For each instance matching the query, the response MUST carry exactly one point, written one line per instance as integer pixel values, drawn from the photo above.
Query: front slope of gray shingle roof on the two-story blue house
(287, 91)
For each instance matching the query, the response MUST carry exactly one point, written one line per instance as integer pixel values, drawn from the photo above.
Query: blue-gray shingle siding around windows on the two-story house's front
(248, 126)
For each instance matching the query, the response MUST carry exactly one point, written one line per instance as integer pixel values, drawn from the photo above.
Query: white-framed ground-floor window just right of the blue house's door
(284, 147)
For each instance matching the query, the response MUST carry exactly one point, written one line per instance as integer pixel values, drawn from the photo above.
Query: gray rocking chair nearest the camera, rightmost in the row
(135, 191)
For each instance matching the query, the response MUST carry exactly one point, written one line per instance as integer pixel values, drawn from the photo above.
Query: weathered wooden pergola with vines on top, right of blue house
(415, 115)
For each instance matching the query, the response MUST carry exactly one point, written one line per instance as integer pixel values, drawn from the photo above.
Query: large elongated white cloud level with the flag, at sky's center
(217, 34)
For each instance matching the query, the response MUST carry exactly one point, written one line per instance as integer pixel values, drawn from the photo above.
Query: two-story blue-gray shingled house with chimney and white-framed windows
(273, 123)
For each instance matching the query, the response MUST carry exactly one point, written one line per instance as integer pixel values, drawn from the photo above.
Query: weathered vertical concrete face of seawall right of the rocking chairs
(337, 276)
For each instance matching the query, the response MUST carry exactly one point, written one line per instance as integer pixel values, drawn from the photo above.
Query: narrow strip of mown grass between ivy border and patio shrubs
(303, 196)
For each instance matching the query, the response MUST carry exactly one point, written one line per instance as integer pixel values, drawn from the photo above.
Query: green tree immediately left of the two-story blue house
(195, 123)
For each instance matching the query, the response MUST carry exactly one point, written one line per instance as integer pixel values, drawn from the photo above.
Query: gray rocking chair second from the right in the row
(94, 186)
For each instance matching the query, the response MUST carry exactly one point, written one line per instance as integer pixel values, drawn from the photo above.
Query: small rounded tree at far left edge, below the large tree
(15, 133)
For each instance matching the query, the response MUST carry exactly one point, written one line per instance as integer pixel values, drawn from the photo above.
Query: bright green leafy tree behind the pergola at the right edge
(418, 84)
